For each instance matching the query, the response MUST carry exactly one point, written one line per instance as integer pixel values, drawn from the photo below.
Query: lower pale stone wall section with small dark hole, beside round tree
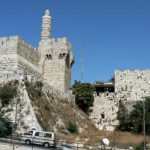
(104, 111)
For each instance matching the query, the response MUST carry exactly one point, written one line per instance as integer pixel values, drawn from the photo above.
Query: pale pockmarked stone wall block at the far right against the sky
(132, 86)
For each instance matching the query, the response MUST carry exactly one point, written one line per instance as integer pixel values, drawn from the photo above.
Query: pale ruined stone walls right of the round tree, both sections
(128, 86)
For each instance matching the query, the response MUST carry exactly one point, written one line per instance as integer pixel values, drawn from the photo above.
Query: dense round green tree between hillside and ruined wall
(83, 95)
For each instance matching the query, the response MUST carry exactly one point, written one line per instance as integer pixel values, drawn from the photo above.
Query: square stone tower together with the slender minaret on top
(56, 57)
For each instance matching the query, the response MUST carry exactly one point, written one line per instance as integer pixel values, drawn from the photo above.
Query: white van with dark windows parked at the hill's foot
(40, 137)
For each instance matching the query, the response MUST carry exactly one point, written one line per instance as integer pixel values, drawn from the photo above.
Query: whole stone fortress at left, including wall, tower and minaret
(51, 62)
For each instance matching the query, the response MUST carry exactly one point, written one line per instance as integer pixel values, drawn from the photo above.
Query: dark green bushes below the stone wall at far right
(133, 121)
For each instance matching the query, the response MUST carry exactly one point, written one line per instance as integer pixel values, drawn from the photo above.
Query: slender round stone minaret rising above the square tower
(46, 25)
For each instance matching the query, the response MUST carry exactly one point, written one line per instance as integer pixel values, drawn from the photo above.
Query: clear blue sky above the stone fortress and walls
(112, 34)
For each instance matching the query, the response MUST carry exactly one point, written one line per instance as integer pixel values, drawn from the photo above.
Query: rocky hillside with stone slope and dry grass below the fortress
(34, 105)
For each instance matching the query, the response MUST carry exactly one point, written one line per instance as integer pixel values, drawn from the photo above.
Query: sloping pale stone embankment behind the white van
(25, 118)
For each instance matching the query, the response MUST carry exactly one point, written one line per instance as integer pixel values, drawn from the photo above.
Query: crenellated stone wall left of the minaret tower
(16, 55)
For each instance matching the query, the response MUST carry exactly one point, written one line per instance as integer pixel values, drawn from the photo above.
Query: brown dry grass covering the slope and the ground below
(49, 108)
